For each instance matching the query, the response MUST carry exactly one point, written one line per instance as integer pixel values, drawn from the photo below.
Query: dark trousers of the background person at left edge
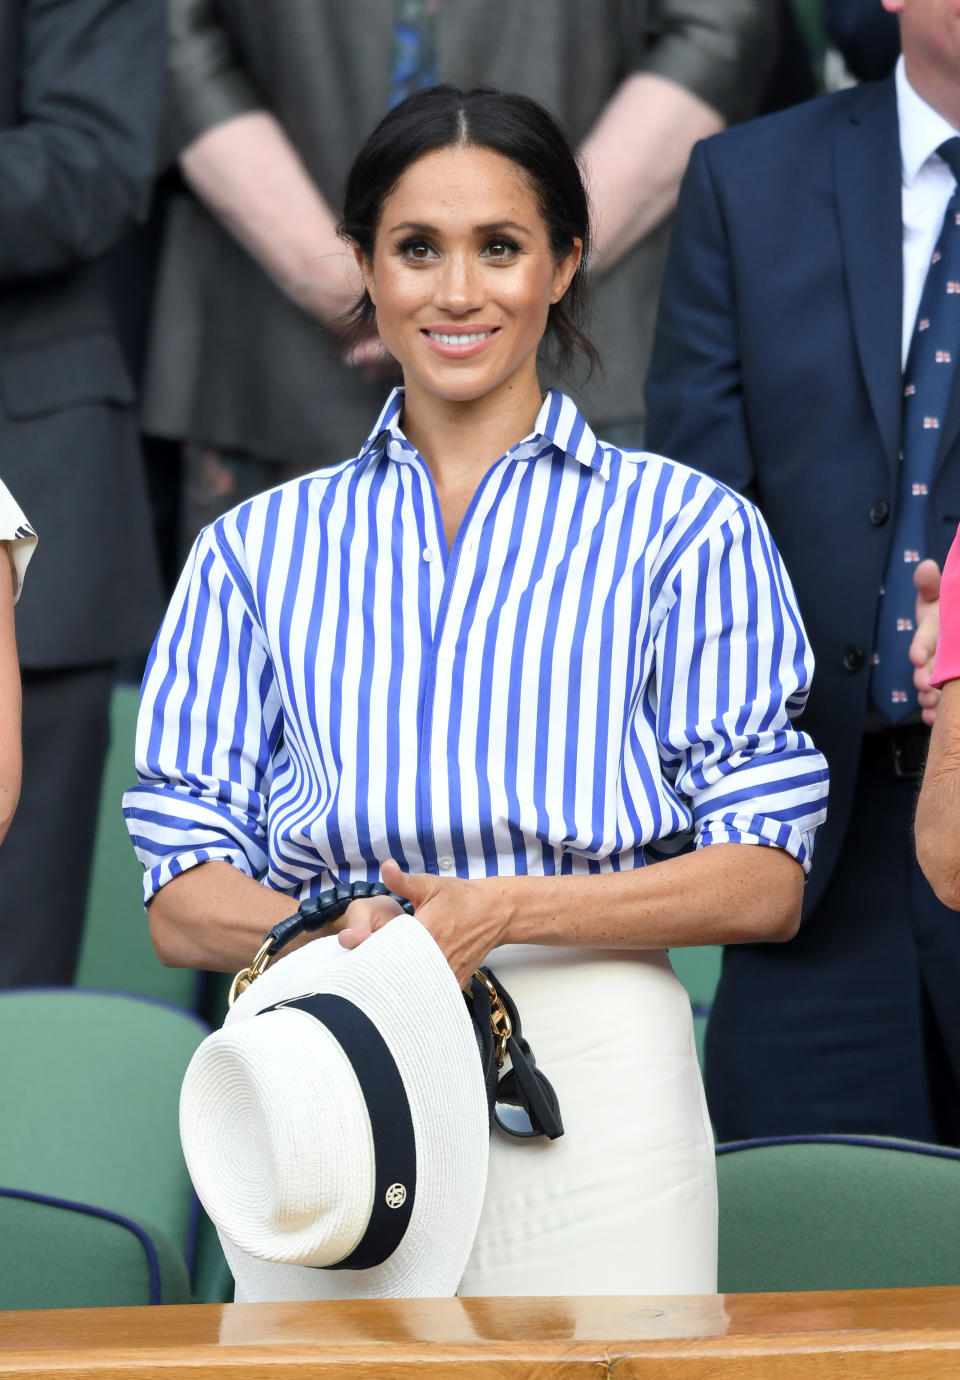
(46, 858)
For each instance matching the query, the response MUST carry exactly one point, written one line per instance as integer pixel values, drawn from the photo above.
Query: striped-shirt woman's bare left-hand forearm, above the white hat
(214, 917)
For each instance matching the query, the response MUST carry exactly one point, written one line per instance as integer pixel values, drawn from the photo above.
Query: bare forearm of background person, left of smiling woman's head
(250, 176)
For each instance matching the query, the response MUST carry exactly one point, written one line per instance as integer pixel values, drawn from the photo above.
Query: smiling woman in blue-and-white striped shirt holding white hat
(500, 663)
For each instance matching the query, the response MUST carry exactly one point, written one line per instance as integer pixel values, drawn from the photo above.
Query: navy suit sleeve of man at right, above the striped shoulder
(694, 386)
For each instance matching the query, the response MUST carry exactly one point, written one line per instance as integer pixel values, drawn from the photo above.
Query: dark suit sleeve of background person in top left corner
(77, 172)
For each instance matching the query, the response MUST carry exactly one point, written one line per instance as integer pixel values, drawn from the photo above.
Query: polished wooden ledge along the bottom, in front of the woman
(904, 1334)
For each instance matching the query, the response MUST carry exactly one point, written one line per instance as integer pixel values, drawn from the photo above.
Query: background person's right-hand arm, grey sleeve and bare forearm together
(704, 70)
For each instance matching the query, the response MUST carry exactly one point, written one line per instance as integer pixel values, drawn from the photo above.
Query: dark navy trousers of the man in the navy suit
(856, 1025)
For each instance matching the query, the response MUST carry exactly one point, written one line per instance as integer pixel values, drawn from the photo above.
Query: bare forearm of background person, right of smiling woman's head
(635, 159)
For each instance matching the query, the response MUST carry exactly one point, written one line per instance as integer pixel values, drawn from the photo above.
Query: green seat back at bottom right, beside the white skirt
(838, 1214)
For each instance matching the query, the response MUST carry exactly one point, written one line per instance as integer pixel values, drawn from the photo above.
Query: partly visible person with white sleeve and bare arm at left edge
(19, 540)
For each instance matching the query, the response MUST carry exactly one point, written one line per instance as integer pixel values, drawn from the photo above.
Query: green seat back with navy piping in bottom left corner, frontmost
(64, 1255)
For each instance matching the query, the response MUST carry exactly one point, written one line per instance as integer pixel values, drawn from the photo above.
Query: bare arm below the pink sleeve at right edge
(939, 809)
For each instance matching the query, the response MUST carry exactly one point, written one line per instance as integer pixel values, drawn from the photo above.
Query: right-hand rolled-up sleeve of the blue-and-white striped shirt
(733, 670)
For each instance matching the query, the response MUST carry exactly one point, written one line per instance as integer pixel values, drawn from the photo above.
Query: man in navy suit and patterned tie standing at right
(801, 252)
